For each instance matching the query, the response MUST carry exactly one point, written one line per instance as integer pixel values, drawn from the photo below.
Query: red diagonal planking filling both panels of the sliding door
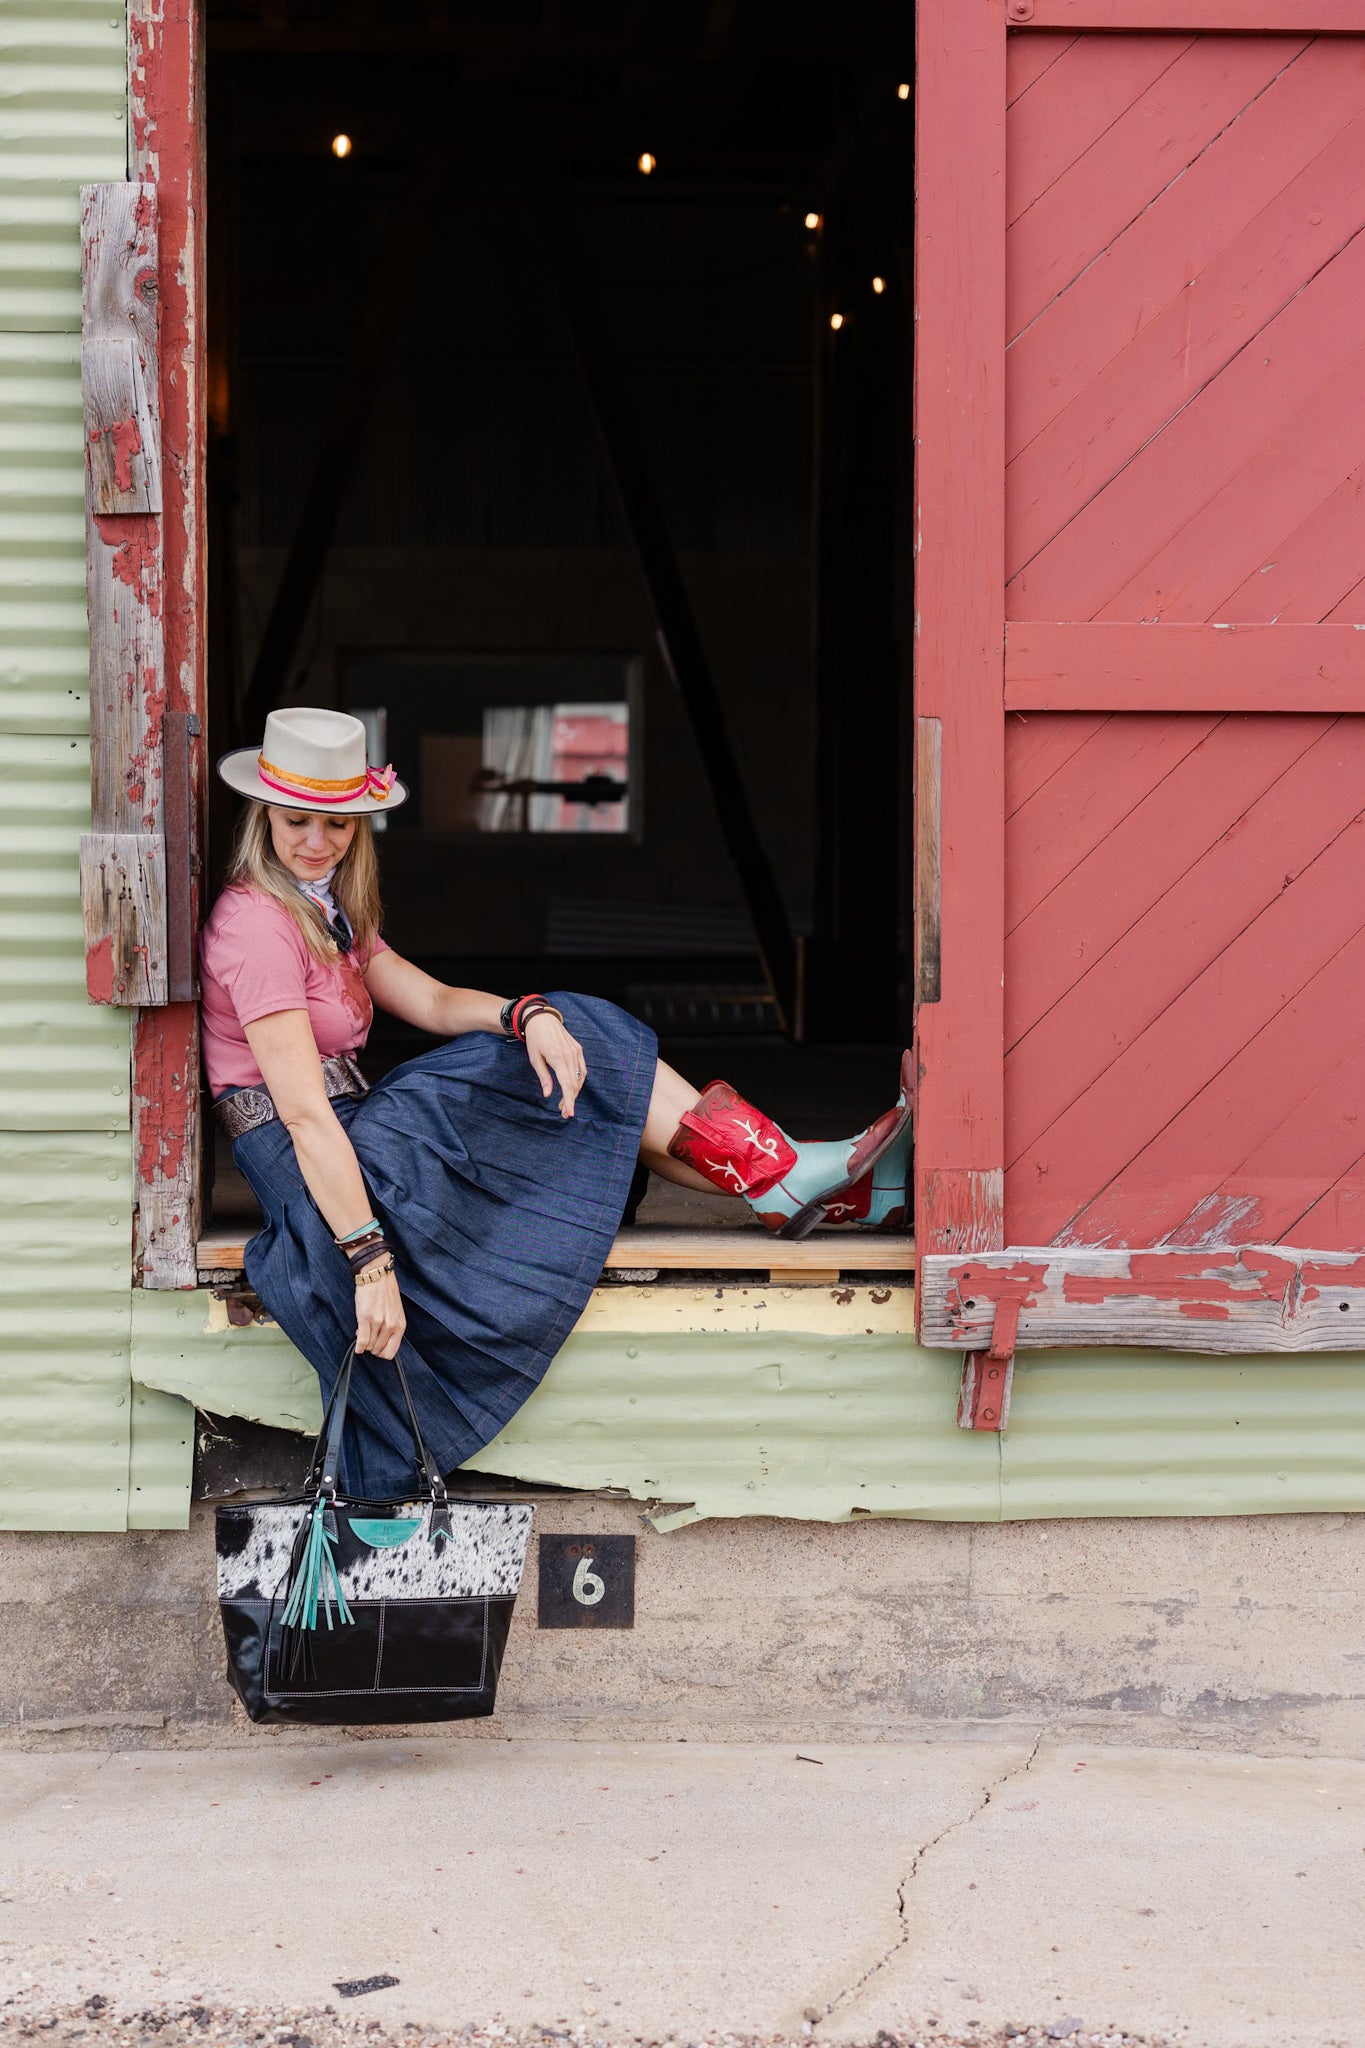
(1186, 431)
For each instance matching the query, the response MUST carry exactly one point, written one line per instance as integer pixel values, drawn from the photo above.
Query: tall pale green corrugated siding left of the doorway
(79, 1449)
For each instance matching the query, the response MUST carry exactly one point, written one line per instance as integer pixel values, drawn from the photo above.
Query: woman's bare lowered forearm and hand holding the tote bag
(285, 1052)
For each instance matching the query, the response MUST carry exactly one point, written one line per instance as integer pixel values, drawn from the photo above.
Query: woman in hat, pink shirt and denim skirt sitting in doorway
(457, 1211)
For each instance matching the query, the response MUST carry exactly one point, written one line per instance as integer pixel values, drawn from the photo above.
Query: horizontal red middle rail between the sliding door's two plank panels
(1182, 667)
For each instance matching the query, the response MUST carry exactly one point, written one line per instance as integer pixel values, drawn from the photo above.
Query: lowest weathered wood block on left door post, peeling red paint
(124, 912)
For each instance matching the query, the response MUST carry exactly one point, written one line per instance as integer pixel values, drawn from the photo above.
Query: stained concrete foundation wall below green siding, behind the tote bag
(1239, 1633)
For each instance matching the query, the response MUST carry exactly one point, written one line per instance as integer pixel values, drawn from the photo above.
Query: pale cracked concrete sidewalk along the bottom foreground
(674, 1889)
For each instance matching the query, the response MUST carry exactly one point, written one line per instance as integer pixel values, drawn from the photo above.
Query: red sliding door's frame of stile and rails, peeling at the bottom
(971, 671)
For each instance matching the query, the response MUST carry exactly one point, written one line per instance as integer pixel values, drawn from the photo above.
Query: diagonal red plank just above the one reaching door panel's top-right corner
(1161, 136)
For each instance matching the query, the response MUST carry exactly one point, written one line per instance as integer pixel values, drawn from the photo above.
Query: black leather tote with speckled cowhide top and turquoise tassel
(367, 1611)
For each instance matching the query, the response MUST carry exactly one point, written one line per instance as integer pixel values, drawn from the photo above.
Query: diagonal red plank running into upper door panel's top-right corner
(1176, 239)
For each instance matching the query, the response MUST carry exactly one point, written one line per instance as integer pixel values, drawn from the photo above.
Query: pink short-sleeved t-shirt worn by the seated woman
(255, 962)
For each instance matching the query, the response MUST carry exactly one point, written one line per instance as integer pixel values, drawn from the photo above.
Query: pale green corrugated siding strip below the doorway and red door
(787, 1422)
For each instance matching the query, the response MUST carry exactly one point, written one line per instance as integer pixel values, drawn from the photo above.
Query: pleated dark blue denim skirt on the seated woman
(500, 1215)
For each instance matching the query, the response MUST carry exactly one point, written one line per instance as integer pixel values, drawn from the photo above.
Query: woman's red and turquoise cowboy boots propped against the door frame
(797, 1187)
